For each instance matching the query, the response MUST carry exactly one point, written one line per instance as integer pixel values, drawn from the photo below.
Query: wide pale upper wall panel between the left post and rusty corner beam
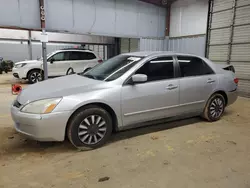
(130, 18)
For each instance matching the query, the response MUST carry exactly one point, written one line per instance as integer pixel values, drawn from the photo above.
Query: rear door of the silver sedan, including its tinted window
(197, 83)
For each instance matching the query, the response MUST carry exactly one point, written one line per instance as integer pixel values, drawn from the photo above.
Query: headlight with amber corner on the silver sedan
(44, 106)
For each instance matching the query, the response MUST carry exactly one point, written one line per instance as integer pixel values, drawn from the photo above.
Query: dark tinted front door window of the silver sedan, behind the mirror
(158, 69)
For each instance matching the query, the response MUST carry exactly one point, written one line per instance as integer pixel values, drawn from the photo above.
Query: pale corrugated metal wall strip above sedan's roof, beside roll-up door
(193, 45)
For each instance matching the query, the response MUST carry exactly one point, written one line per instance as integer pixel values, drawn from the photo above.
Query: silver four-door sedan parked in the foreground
(129, 90)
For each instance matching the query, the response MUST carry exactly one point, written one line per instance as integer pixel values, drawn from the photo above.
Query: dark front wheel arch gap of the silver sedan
(101, 105)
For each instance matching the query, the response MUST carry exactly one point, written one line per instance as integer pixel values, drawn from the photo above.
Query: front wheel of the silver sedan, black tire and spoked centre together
(79, 132)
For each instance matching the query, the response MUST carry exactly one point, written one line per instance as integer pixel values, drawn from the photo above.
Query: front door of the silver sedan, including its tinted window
(155, 99)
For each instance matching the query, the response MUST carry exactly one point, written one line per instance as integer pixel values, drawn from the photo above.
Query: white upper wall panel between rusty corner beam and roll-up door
(188, 17)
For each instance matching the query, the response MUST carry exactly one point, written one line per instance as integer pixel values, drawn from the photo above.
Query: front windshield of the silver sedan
(112, 68)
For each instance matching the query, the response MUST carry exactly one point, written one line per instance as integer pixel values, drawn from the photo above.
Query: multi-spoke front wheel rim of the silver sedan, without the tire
(92, 129)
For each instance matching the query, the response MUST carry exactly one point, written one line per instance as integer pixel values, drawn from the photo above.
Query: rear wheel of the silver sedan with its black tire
(214, 108)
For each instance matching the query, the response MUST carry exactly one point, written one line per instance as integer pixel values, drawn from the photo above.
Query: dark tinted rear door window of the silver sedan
(193, 66)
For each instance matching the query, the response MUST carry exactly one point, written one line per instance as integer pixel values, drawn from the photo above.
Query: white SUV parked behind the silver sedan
(60, 63)
